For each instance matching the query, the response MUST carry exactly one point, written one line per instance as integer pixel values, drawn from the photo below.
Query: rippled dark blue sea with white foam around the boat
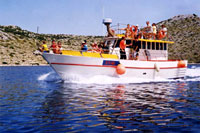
(35, 99)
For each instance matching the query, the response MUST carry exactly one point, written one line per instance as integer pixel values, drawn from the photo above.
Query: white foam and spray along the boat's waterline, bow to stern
(192, 74)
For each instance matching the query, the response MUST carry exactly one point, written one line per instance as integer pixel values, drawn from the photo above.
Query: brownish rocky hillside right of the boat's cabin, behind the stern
(184, 30)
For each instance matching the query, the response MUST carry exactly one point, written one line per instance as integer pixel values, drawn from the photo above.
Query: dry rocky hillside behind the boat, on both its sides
(17, 45)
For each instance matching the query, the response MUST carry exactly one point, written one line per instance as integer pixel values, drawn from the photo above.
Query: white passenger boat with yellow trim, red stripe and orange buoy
(152, 61)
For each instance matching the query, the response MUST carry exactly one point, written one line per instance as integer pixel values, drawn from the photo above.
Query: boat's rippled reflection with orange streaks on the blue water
(120, 107)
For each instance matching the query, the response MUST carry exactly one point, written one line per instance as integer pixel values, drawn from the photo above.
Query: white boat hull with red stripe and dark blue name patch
(66, 65)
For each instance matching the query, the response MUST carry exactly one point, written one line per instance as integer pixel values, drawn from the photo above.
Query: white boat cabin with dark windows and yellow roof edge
(146, 49)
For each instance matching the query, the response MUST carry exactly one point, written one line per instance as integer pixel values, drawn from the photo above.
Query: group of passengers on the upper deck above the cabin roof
(148, 32)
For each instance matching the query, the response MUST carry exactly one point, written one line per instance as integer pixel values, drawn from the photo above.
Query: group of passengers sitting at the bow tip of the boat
(55, 47)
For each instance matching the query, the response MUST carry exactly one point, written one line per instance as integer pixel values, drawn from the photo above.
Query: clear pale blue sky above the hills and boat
(84, 17)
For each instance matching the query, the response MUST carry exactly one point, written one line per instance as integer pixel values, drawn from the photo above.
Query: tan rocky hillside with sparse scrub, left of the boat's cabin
(17, 45)
